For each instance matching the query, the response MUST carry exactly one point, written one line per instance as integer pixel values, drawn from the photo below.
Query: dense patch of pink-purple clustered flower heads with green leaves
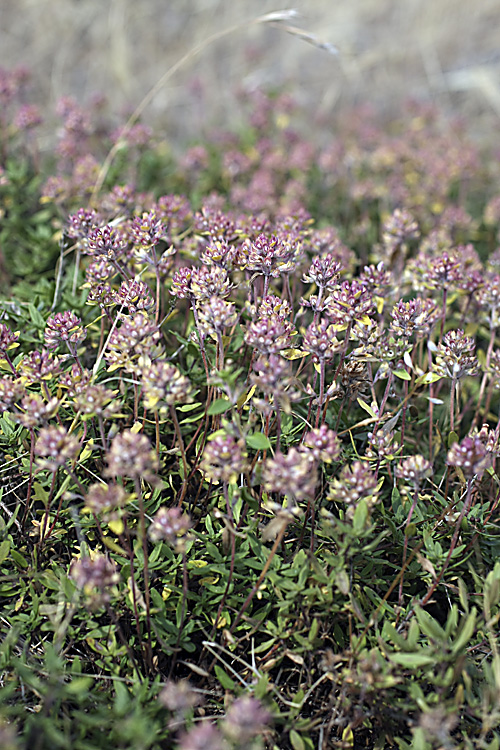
(249, 436)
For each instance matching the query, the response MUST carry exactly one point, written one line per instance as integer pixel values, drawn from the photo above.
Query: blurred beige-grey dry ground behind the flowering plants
(443, 51)
